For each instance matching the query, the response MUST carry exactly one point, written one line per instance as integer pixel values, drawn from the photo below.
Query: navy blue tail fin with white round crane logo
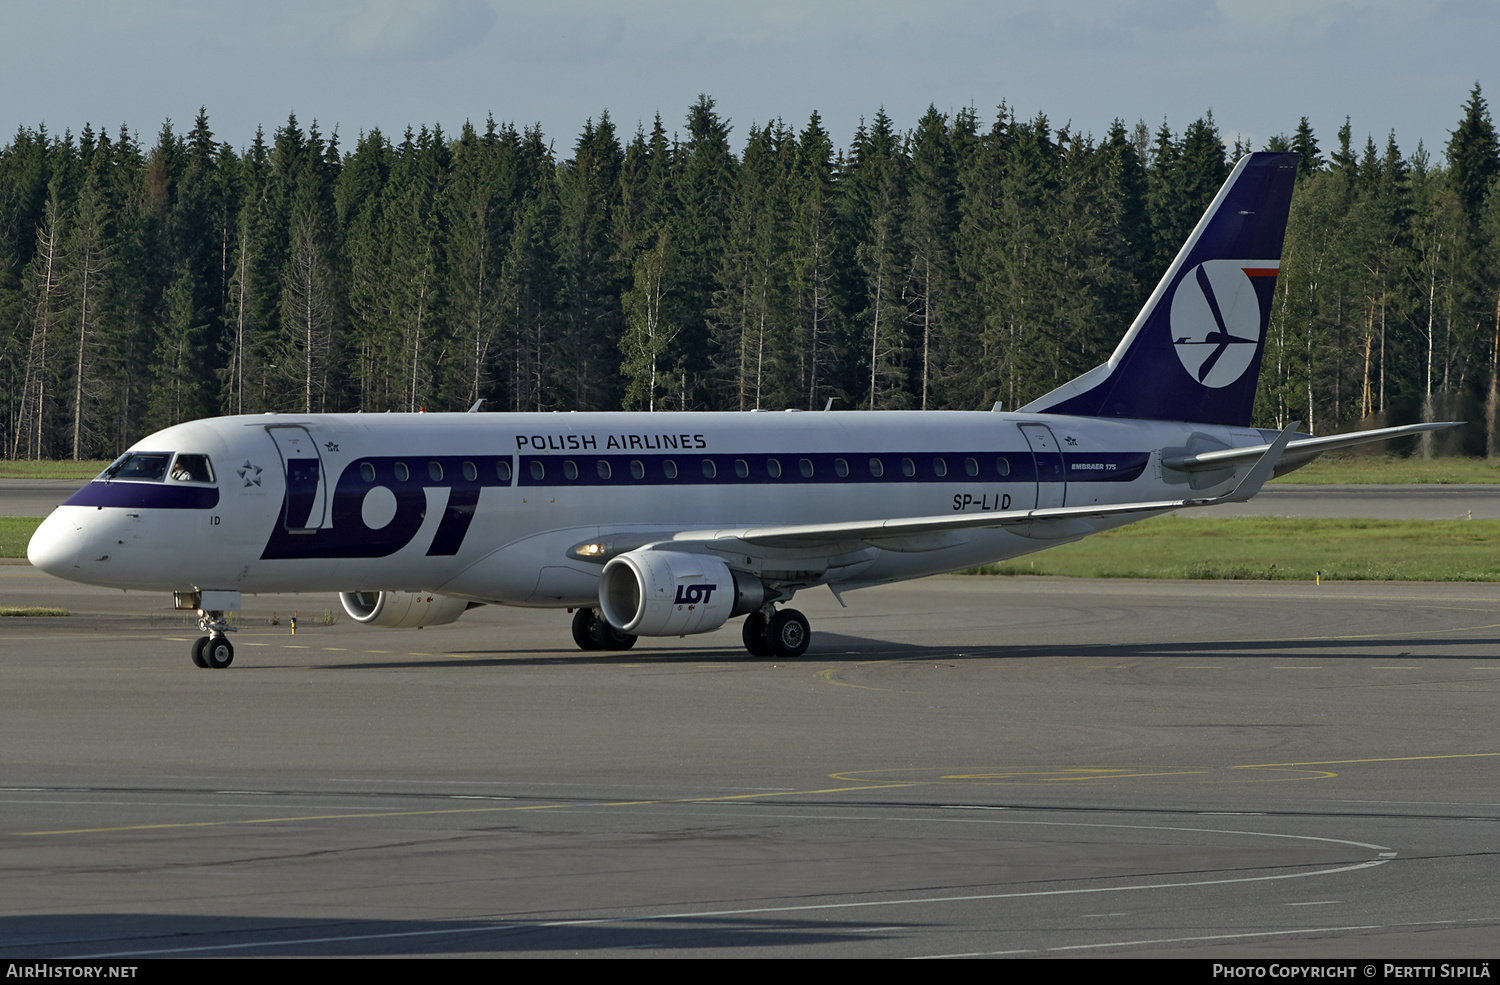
(1193, 353)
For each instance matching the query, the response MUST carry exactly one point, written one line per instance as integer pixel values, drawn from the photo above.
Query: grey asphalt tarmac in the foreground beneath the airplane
(959, 767)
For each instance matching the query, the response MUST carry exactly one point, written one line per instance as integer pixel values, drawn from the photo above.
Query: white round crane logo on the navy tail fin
(1216, 320)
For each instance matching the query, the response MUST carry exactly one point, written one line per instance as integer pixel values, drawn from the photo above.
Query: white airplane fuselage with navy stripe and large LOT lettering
(490, 506)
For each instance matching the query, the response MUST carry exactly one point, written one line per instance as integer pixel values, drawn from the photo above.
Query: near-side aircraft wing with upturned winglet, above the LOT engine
(1049, 524)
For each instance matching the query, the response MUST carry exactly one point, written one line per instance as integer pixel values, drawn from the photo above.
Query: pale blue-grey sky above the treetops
(358, 65)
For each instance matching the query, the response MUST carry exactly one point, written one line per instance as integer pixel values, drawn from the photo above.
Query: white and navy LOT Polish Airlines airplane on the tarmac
(673, 524)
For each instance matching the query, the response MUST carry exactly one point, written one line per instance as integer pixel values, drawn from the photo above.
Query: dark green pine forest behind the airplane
(950, 266)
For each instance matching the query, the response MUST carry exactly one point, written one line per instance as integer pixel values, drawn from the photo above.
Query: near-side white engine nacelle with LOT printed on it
(667, 593)
